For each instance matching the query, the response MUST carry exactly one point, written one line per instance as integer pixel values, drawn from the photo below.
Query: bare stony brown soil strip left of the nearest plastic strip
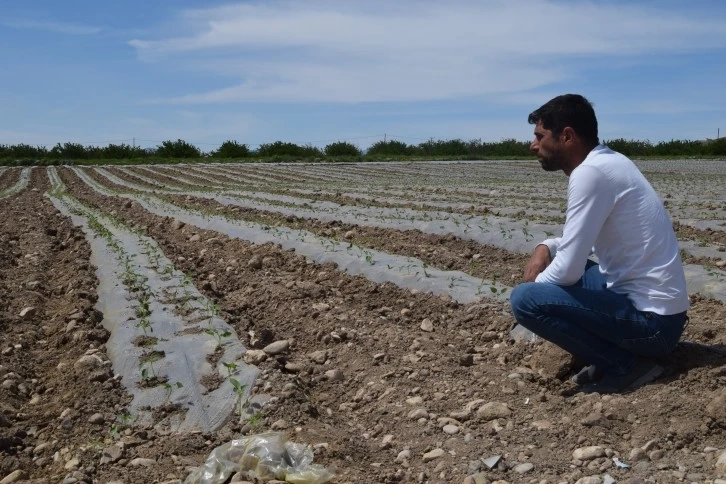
(47, 323)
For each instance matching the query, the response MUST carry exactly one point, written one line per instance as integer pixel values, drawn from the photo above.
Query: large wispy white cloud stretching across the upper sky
(349, 51)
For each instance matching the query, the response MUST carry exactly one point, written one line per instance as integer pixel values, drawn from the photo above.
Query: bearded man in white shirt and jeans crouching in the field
(620, 313)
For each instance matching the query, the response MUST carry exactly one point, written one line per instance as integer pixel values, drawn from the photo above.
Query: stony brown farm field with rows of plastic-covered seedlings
(358, 308)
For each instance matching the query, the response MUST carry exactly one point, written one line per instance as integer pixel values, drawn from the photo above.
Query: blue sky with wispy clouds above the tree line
(318, 71)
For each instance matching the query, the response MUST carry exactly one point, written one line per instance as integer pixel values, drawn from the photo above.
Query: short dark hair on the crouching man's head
(570, 110)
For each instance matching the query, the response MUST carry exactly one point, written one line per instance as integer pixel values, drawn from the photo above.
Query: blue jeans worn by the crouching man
(595, 324)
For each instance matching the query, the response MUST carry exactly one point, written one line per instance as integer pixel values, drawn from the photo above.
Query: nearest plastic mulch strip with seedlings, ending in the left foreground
(186, 342)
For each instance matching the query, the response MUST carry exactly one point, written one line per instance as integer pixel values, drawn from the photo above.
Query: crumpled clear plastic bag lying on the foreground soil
(265, 456)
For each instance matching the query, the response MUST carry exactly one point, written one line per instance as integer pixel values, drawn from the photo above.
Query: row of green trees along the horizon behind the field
(455, 149)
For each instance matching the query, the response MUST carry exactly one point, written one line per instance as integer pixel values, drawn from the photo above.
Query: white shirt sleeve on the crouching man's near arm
(590, 199)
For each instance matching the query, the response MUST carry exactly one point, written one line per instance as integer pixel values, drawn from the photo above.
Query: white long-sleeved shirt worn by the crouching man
(613, 212)
